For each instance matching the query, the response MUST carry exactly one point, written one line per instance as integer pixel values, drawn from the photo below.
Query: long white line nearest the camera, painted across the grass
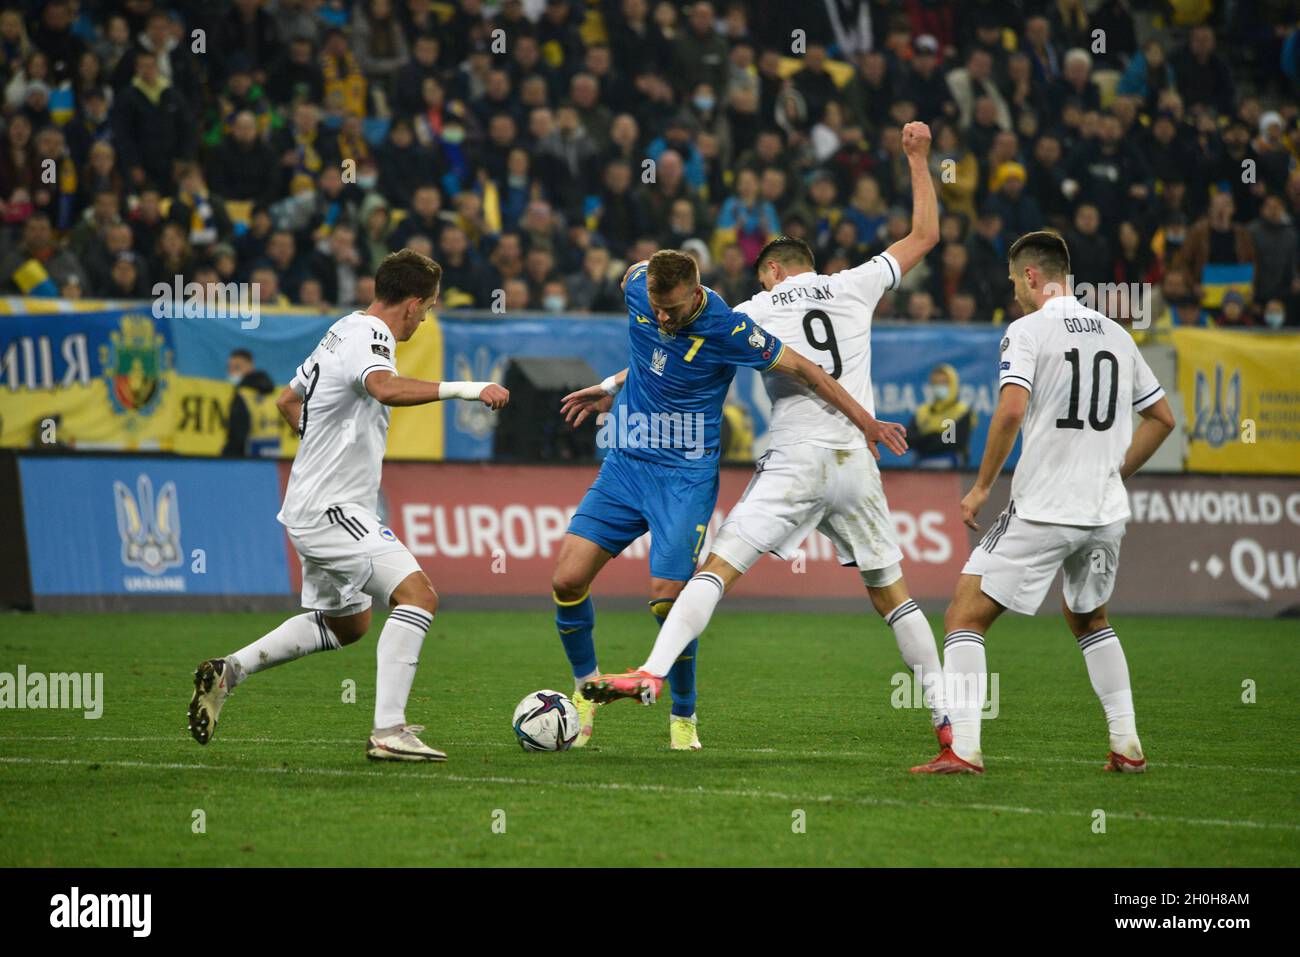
(658, 790)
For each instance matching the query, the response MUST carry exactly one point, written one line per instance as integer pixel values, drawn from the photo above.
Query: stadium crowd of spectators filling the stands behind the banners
(538, 148)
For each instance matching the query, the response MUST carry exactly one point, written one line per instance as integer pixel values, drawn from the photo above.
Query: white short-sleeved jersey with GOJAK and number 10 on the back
(1086, 379)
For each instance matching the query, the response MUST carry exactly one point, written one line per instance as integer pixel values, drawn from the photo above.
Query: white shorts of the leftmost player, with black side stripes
(349, 560)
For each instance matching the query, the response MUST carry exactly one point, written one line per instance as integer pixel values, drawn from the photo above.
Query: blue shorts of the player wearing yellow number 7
(631, 497)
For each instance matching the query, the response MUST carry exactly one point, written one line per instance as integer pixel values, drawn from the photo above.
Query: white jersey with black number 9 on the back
(827, 321)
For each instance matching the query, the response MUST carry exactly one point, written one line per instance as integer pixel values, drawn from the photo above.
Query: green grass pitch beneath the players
(795, 717)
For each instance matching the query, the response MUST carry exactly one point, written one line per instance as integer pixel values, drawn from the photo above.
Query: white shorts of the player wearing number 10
(1017, 561)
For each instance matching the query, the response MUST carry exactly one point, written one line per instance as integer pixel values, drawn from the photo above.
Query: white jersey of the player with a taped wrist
(345, 430)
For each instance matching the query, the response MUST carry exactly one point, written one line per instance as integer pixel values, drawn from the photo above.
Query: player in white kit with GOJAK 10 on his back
(1071, 379)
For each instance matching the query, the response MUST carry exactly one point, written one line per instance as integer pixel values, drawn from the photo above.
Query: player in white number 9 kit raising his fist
(818, 473)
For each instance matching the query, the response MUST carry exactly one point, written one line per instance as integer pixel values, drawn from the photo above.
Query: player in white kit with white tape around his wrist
(339, 402)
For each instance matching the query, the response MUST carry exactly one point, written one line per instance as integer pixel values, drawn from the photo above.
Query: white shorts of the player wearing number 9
(801, 488)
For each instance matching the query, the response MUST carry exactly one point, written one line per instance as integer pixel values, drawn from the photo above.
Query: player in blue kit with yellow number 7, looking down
(661, 473)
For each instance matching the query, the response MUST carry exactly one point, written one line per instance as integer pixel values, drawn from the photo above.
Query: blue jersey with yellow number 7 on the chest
(671, 406)
